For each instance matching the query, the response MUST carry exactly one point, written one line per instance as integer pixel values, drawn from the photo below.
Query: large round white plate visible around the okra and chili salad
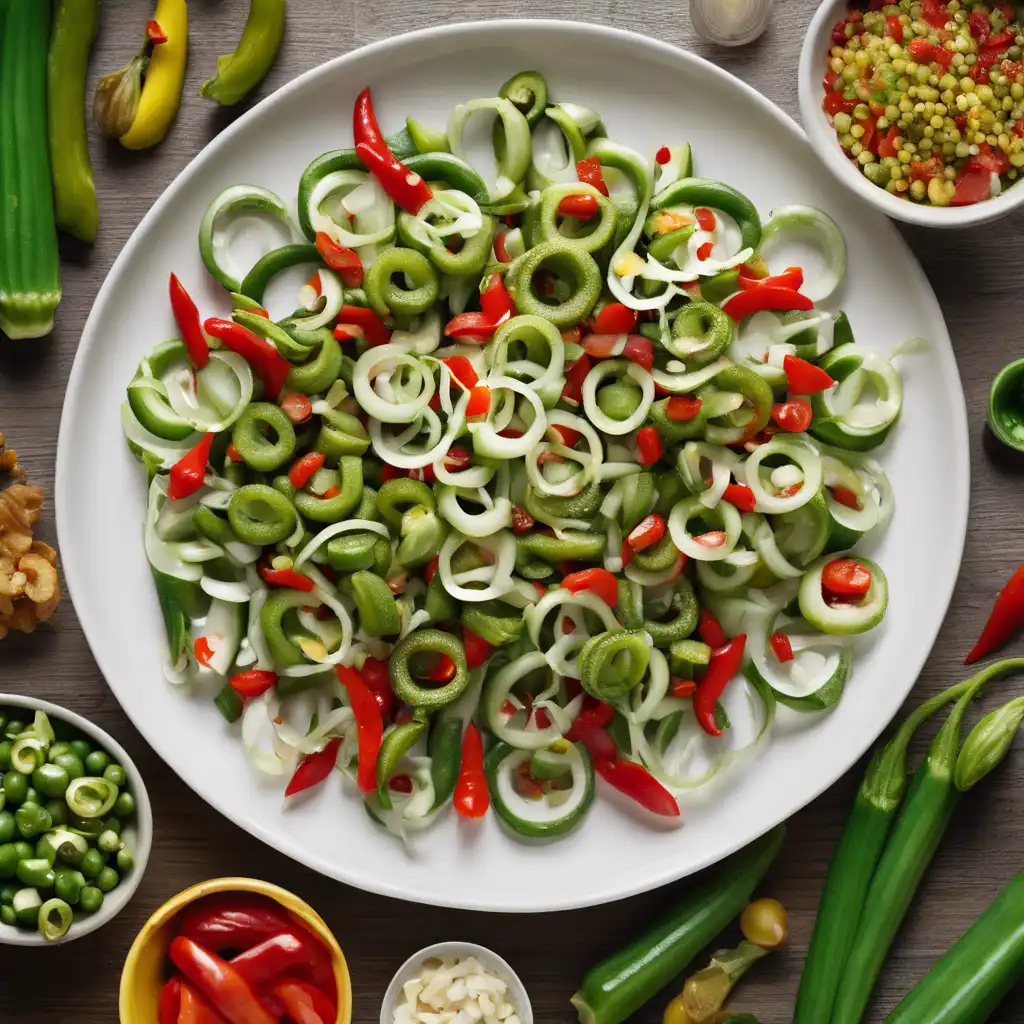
(739, 137)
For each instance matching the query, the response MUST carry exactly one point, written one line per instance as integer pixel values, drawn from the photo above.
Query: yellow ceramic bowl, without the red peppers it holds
(146, 968)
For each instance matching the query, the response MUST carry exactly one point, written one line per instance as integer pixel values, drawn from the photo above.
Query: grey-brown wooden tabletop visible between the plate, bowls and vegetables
(974, 274)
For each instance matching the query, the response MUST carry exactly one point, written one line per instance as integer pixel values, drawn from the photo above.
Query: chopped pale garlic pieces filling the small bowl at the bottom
(453, 991)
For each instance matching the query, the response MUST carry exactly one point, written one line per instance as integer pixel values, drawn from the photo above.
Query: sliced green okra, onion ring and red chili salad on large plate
(554, 473)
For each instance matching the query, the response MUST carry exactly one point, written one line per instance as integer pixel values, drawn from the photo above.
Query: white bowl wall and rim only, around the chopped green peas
(139, 834)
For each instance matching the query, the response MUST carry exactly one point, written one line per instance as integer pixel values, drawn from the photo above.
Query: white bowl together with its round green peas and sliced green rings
(76, 826)
